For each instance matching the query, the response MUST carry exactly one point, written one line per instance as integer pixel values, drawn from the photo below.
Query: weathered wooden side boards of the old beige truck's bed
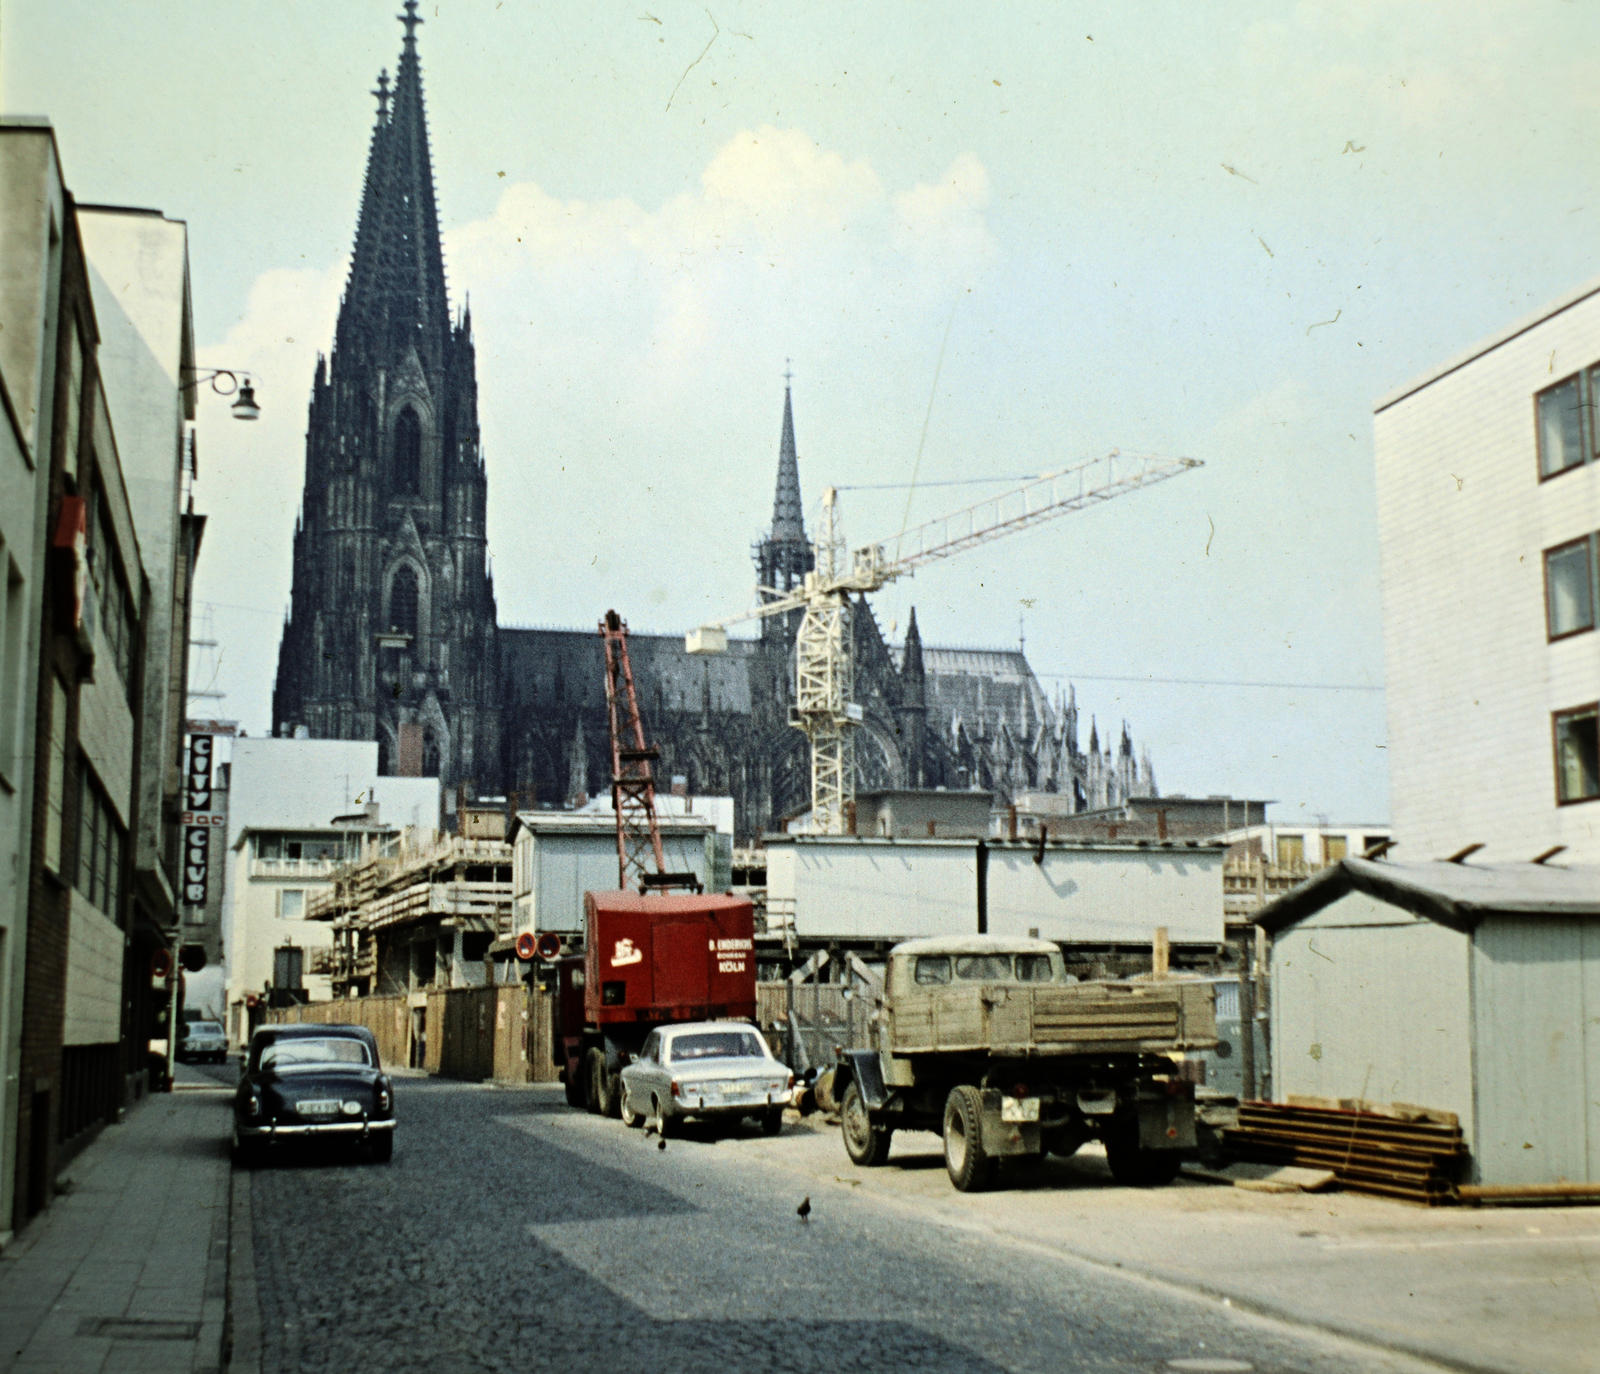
(1054, 1020)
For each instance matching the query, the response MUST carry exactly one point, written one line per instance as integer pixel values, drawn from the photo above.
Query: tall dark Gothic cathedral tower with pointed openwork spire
(393, 620)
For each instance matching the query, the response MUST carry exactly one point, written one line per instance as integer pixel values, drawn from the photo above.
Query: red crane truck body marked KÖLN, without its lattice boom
(649, 961)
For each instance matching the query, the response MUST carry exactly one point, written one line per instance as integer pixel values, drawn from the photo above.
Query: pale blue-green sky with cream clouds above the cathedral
(988, 242)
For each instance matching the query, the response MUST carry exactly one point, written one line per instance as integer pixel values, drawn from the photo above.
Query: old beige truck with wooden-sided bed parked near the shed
(991, 1044)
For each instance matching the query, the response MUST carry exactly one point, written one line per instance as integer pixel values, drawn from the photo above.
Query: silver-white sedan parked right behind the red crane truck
(706, 1069)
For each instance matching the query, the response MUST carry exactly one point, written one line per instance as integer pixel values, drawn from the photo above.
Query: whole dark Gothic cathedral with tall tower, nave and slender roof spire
(393, 631)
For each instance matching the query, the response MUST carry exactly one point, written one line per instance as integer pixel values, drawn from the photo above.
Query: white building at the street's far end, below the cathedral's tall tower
(284, 845)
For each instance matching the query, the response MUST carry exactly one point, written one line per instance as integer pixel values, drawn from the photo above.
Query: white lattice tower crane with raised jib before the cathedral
(825, 706)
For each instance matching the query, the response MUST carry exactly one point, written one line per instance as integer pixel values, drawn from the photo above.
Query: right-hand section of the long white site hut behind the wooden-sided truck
(1106, 897)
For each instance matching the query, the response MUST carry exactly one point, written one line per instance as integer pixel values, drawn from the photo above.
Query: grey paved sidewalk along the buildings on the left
(129, 1271)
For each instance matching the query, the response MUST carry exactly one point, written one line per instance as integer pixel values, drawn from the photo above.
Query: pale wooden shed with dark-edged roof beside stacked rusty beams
(1458, 988)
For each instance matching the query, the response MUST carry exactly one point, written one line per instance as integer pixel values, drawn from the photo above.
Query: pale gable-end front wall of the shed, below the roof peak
(1370, 1002)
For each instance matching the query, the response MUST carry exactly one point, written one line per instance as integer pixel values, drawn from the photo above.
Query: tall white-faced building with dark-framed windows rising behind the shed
(1489, 508)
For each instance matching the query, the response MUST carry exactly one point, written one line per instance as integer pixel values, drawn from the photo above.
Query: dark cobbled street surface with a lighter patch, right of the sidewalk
(514, 1234)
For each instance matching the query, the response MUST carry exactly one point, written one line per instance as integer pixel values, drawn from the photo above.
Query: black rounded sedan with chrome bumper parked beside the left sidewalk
(313, 1084)
